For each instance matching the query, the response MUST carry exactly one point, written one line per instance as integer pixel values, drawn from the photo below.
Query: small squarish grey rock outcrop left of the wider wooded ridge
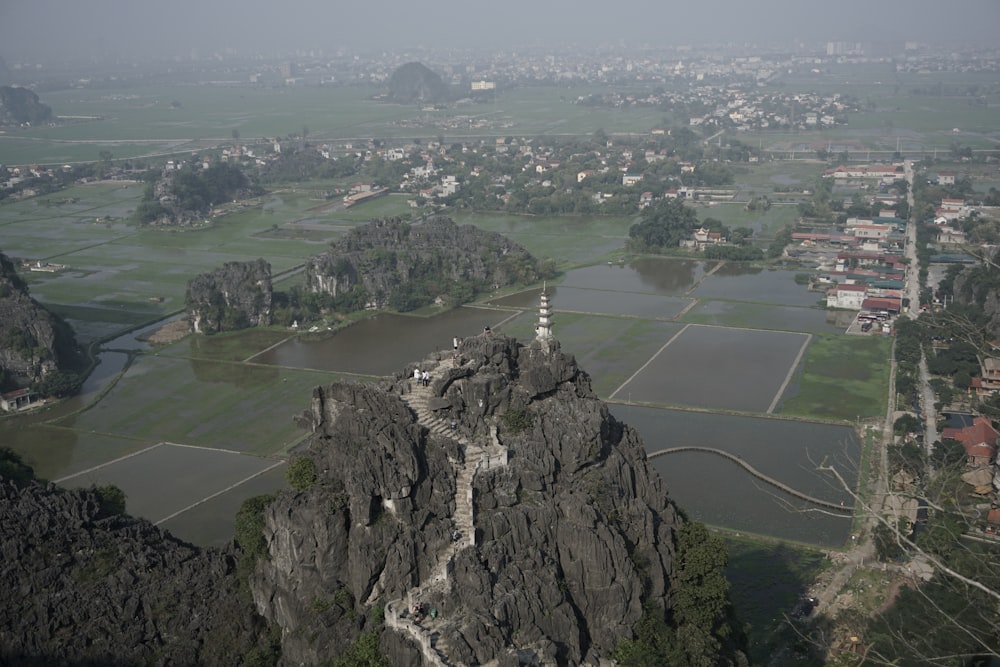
(237, 296)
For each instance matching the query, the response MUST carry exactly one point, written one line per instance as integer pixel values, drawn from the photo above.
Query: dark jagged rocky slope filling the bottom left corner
(84, 588)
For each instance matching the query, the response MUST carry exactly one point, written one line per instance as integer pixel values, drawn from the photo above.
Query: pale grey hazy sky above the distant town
(83, 28)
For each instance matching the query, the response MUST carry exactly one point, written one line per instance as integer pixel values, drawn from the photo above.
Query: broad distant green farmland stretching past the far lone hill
(168, 120)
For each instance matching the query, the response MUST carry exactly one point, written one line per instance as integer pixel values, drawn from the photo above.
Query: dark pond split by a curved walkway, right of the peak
(719, 492)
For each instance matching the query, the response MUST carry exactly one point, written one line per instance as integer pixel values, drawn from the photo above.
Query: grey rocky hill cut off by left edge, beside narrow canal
(33, 341)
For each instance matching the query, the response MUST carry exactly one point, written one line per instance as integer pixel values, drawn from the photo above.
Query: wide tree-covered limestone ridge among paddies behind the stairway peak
(403, 266)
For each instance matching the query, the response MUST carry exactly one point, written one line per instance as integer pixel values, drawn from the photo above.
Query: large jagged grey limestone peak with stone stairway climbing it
(499, 513)
